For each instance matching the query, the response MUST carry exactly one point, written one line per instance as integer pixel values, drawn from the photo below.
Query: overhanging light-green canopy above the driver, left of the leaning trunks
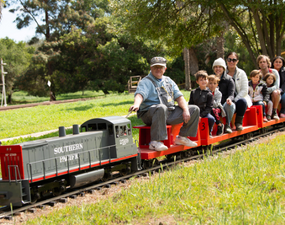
(179, 24)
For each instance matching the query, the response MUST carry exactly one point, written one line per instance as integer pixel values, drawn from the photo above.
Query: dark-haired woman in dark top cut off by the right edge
(278, 64)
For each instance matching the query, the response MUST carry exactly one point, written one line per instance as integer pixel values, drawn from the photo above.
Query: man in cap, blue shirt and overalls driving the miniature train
(154, 104)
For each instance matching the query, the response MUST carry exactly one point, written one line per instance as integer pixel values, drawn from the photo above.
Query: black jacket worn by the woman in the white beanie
(227, 88)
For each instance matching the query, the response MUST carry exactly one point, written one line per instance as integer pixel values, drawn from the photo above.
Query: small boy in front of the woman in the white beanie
(217, 109)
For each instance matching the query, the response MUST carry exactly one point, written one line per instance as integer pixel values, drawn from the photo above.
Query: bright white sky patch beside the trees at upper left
(9, 29)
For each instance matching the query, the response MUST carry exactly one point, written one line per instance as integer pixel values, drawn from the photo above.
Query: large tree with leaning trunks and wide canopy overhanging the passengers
(260, 24)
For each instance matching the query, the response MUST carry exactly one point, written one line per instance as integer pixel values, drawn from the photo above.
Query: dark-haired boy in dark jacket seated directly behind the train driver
(203, 98)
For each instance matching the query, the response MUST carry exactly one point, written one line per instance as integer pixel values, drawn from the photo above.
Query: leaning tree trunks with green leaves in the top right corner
(260, 24)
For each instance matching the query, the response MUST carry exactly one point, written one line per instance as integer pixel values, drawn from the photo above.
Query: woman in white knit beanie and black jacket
(227, 88)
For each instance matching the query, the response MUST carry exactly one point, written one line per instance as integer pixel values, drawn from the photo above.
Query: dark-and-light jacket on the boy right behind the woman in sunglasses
(260, 92)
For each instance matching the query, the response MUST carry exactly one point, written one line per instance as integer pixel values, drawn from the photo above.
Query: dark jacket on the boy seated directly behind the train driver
(203, 99)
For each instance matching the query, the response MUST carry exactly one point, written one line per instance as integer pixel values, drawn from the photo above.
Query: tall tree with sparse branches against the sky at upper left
(55, 19)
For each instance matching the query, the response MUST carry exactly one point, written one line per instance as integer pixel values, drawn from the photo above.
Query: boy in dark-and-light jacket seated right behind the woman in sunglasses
(257, 91)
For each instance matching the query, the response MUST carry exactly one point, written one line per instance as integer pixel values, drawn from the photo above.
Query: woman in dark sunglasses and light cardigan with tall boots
(242, 99)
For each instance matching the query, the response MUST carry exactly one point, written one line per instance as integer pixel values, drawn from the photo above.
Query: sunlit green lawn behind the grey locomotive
(24, 121)
